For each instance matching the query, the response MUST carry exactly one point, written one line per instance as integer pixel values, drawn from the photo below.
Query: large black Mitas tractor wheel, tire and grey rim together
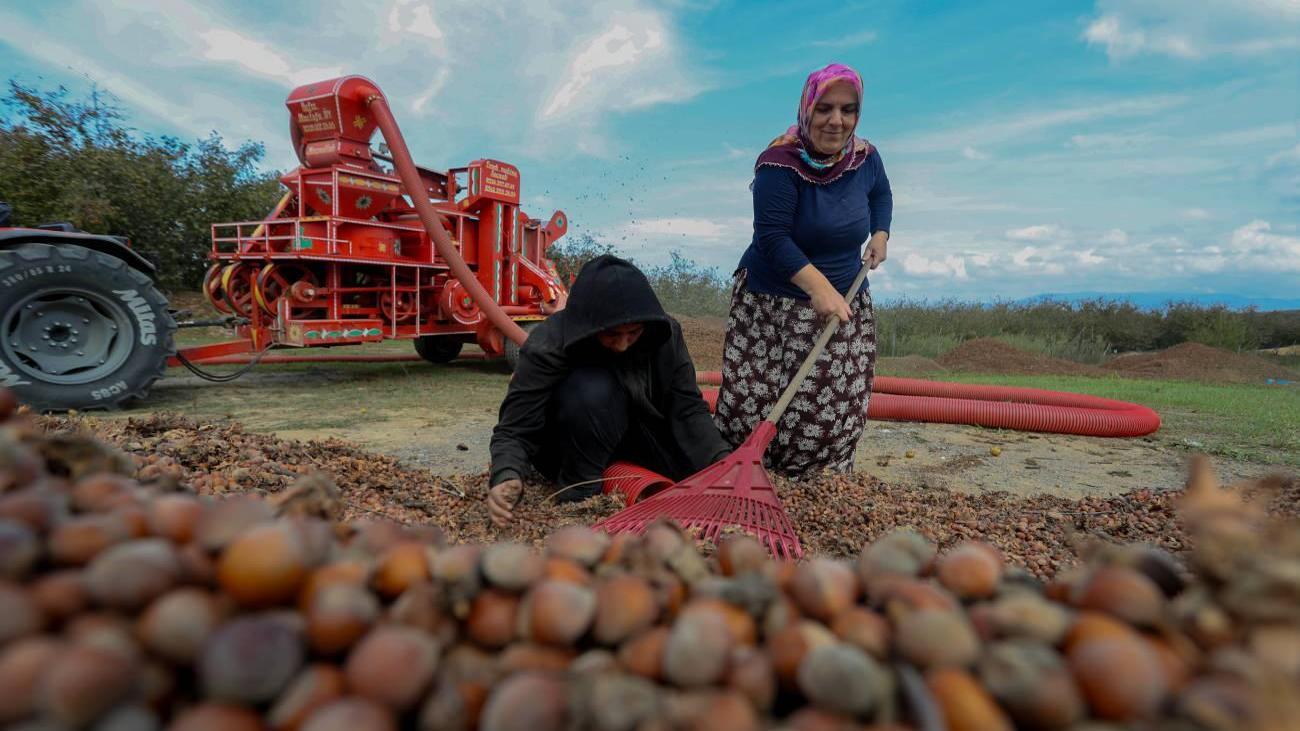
(80, 330)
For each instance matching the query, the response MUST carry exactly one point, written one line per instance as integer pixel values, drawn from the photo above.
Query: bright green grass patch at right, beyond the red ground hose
(1253, 423)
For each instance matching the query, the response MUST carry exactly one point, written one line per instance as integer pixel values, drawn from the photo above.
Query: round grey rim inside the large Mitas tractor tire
(67, 336)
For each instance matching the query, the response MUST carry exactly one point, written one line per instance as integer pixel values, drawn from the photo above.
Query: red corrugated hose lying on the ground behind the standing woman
(1000, 408)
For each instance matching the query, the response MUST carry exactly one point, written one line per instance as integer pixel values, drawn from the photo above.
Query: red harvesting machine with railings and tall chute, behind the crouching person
(353, 254)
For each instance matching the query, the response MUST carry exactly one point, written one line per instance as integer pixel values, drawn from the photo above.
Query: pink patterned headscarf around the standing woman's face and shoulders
(795, 149)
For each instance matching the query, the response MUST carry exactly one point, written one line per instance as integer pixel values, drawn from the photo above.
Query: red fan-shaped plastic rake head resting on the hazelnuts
(735, 492)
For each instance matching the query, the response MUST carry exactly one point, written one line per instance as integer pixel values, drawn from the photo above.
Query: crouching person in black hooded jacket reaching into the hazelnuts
(608, 378)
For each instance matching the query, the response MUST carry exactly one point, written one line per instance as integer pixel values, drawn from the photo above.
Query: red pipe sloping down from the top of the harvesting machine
(405, 166)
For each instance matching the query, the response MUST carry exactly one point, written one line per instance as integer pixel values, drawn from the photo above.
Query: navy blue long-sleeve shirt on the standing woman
(798, 223)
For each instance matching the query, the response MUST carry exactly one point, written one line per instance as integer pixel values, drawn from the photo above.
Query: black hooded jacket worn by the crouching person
(656, 371)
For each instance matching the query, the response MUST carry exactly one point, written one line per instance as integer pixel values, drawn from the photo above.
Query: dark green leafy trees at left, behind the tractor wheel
(76, 159)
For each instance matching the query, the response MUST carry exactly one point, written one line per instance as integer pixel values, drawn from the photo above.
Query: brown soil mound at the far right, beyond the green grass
(1197, 362)
